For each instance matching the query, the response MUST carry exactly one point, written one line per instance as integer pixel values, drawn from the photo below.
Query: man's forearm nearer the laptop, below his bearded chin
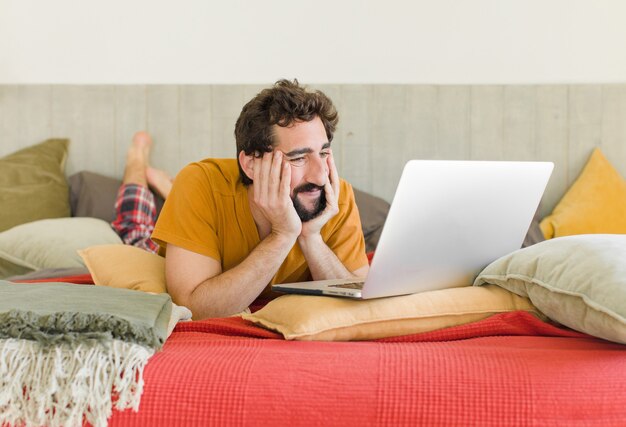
(322, 261)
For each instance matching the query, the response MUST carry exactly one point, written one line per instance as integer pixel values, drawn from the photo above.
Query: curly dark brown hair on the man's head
(282, 104)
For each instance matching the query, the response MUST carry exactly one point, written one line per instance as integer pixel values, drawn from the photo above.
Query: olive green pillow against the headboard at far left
(33, 184)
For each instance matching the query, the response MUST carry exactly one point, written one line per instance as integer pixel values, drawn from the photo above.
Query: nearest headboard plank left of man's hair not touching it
(195, 123)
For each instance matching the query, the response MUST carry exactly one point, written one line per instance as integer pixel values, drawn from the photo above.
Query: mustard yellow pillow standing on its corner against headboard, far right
(594, 204)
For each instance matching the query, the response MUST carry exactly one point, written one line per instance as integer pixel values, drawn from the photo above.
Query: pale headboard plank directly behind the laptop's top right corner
(551, 140)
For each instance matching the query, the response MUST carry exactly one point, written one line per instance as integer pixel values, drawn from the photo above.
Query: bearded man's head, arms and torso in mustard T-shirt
(279, 213)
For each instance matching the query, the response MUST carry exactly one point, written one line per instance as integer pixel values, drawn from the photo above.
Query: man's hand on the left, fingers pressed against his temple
(271, 187)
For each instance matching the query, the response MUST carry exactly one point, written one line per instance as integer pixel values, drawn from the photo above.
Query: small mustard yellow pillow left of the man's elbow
(124, 266)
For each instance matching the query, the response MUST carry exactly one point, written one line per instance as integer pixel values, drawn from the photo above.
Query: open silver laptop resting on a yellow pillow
(447, 221)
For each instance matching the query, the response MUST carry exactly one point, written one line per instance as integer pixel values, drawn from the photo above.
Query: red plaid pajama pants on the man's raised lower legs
(135, 216)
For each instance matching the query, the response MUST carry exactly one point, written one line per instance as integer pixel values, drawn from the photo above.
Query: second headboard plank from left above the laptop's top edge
(453, 122)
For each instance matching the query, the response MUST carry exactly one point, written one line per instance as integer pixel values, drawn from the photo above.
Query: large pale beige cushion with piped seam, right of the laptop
(579, 281)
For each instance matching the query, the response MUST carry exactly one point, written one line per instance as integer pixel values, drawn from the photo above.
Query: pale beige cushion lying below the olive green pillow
(50, 243)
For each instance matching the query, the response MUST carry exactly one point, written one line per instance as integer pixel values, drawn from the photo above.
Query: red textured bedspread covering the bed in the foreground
(510, 369)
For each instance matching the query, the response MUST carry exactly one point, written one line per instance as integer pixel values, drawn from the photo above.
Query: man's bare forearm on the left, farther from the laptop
(234, 290)
